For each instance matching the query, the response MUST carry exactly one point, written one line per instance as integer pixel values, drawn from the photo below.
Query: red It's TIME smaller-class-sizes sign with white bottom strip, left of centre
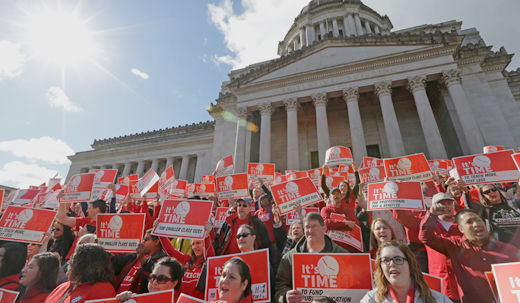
(183, 219)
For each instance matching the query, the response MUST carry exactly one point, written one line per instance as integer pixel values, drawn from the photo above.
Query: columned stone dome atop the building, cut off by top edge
(335, 19)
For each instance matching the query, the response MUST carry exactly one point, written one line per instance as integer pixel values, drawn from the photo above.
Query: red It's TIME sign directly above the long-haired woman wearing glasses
(395, 195)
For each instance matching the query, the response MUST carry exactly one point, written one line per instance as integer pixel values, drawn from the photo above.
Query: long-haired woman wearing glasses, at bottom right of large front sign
(399, 279)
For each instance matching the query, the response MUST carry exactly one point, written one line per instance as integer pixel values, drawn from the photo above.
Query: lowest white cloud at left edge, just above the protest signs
(22, 175)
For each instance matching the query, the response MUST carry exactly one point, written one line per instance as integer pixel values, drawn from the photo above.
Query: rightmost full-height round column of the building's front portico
(467, 120)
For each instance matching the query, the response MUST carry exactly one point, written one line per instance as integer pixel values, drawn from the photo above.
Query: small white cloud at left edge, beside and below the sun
(11, 60)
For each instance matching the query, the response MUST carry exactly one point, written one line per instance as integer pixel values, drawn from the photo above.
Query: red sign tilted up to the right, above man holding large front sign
(290, 194)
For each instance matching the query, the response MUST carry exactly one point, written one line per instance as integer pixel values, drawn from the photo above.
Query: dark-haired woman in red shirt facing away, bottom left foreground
(90, 277)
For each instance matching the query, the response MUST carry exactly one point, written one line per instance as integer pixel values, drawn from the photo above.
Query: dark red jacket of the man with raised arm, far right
(470, 262)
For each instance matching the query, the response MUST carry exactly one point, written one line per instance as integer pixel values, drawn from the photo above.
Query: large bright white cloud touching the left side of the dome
(253, 35)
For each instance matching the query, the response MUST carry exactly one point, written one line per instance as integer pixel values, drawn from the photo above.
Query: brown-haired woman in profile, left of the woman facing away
(38, 278)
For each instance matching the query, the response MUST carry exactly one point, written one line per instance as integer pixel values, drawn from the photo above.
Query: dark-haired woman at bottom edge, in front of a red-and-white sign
(234, 284)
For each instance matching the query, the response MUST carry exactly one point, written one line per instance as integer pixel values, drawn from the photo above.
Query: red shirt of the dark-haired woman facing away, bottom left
(82, 293)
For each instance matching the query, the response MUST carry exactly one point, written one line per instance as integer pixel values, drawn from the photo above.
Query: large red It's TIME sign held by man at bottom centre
(342, 277)
